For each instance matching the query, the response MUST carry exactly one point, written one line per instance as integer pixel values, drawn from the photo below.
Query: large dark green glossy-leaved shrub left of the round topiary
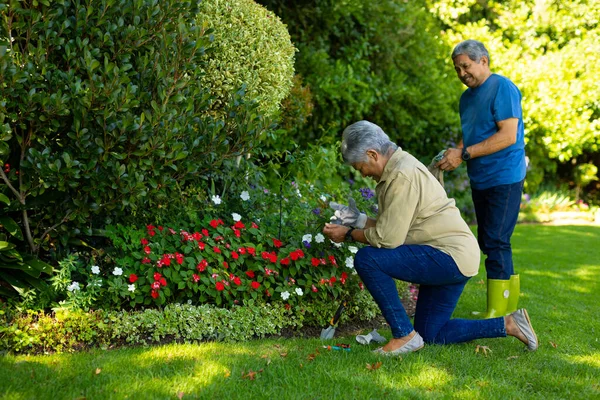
(103, 111)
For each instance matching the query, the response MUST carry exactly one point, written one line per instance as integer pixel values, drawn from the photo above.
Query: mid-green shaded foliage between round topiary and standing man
(381, 61)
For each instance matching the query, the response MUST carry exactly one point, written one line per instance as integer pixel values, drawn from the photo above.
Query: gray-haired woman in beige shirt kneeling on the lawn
(420, 237)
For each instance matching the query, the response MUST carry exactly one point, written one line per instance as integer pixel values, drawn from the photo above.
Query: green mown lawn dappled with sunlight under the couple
(559, 269)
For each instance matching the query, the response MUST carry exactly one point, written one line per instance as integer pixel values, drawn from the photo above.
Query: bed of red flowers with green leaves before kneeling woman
(229, 262)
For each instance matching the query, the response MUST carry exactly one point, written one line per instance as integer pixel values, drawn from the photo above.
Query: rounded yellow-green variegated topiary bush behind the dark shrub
(252, 47)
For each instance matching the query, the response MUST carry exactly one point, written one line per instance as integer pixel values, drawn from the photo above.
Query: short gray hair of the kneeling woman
(362, 136)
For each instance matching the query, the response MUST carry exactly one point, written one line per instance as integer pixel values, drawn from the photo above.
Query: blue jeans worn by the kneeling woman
(441, 285)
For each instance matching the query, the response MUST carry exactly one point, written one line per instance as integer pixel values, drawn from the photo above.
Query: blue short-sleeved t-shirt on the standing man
(495, 100)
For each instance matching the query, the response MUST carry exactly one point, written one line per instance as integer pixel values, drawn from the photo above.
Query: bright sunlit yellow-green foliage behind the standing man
(557, 45)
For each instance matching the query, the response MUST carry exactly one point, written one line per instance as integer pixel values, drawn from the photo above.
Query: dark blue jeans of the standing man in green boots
(497, 210)
